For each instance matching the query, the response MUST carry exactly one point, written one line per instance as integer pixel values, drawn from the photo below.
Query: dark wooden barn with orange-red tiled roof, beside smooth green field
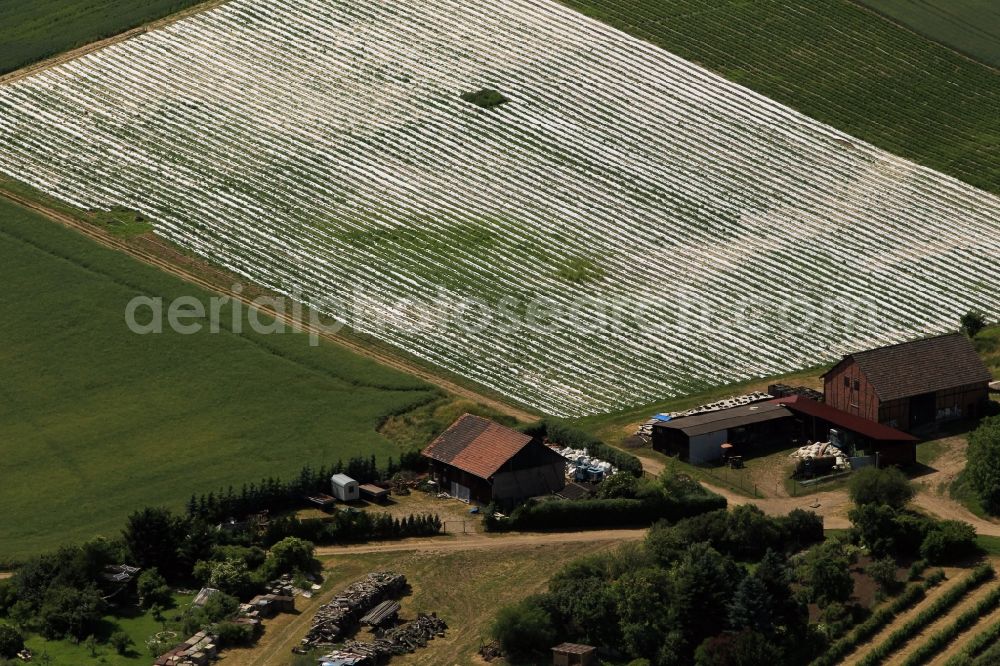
(478, 459)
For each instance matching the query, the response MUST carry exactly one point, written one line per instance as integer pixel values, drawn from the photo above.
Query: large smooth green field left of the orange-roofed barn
(96, 421)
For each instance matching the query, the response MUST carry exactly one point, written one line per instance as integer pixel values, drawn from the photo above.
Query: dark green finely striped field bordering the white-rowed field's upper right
(841, 64)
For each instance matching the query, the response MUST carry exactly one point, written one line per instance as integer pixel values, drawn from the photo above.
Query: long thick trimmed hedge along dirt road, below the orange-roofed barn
(598, 513)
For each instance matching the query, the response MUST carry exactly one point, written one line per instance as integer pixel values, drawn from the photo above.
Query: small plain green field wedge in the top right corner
(969, 26)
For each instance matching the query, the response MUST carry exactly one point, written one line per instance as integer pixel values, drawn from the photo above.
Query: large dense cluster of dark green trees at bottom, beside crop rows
(681, 598)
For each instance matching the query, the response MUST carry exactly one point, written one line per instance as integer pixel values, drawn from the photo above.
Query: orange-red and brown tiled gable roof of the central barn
(477, 445)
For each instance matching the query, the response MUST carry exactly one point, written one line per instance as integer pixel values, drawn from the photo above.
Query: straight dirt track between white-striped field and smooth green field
(384, 358)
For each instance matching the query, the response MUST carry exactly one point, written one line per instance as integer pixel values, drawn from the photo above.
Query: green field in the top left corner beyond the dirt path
(31, 30)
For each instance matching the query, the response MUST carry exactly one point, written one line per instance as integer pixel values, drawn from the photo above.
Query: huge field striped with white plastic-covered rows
(323, 149)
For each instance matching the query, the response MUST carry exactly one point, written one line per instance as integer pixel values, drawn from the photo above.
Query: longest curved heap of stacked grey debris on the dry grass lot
(343, 613)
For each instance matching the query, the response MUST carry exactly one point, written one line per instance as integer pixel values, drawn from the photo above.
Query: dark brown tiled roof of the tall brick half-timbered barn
(922, 366)
